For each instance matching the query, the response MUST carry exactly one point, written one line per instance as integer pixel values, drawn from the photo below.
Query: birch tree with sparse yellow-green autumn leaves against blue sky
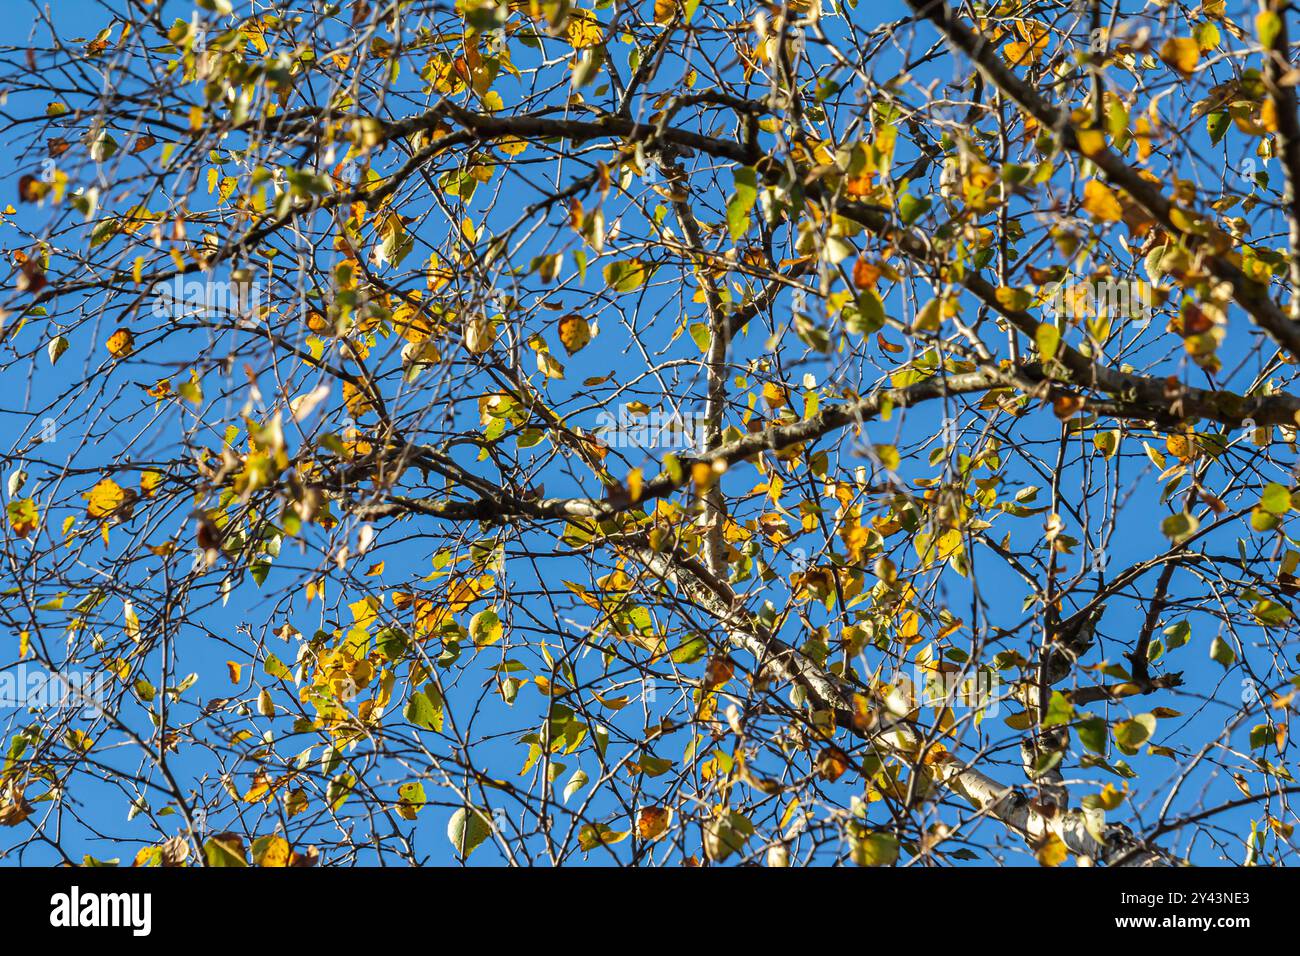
(657, 434)
